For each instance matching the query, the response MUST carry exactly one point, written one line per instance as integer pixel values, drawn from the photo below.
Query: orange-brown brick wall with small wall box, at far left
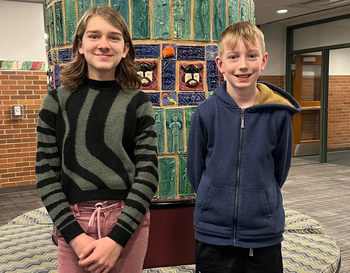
(18, 137)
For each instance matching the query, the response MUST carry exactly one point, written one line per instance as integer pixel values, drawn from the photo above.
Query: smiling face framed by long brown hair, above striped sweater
(103, 47)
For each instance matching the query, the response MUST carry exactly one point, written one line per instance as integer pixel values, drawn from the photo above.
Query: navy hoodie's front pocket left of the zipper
(216, 212)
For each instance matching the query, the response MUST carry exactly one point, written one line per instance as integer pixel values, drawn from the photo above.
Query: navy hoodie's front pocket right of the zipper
(254, 216)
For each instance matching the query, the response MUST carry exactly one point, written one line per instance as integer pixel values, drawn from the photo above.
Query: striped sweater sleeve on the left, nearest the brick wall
(48, 169)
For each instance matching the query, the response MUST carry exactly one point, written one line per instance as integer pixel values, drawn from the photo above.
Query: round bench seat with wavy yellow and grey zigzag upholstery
(26, 247)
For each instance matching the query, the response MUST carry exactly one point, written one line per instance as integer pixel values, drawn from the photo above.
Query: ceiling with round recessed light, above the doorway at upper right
(299, 11)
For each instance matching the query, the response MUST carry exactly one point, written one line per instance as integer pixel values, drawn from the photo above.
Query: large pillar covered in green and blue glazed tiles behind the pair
(175, 43)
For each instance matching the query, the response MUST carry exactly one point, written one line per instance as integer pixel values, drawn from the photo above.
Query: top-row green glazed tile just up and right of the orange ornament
(182, 19)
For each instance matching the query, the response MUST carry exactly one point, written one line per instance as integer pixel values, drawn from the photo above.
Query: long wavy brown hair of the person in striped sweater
(77, 70)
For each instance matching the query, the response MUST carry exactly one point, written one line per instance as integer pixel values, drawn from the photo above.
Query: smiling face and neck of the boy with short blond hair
(242, 66)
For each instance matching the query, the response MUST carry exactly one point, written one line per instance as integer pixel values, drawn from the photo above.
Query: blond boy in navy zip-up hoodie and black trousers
(239, 155)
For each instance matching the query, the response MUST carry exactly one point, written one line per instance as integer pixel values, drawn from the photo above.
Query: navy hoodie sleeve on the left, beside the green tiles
(196, 150)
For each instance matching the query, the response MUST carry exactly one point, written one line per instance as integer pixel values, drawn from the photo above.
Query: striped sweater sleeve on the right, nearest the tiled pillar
(146, 177)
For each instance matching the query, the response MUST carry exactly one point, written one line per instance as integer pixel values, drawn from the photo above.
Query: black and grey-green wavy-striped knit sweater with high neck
(97, 143)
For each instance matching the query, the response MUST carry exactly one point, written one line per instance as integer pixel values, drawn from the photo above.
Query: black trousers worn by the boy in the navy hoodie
(230, 259)
